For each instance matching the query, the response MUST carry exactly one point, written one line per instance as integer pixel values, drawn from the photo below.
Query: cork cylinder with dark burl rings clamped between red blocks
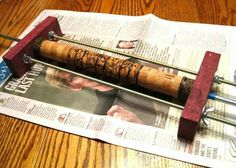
(121, 69)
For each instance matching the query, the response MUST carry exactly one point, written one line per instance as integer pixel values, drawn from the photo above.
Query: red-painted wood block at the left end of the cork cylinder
(14, 57)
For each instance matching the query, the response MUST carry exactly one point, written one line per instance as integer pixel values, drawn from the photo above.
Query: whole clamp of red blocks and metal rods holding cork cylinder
(193, 92)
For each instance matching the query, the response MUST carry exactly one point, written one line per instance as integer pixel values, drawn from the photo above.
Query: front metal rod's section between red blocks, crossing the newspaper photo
(32, 60)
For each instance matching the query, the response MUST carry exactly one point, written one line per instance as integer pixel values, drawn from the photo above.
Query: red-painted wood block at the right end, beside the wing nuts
(192, 112)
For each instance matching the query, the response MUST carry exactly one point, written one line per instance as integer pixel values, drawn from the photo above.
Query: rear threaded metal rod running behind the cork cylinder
(52, 35)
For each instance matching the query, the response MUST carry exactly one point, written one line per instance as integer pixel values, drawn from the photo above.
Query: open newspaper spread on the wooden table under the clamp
(100, 112)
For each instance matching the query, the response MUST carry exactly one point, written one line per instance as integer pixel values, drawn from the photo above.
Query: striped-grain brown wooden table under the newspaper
(24, 144)
